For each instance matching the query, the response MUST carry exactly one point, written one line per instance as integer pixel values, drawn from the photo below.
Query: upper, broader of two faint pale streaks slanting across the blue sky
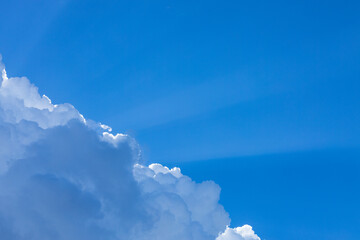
(190, 101)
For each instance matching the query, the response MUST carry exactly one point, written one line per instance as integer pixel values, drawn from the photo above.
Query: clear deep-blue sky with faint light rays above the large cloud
(260, 96)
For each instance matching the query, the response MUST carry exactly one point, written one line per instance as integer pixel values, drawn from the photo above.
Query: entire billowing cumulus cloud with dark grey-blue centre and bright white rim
(64, 177)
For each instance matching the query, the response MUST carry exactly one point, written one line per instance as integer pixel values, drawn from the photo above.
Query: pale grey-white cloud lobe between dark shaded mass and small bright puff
(189, 209)
